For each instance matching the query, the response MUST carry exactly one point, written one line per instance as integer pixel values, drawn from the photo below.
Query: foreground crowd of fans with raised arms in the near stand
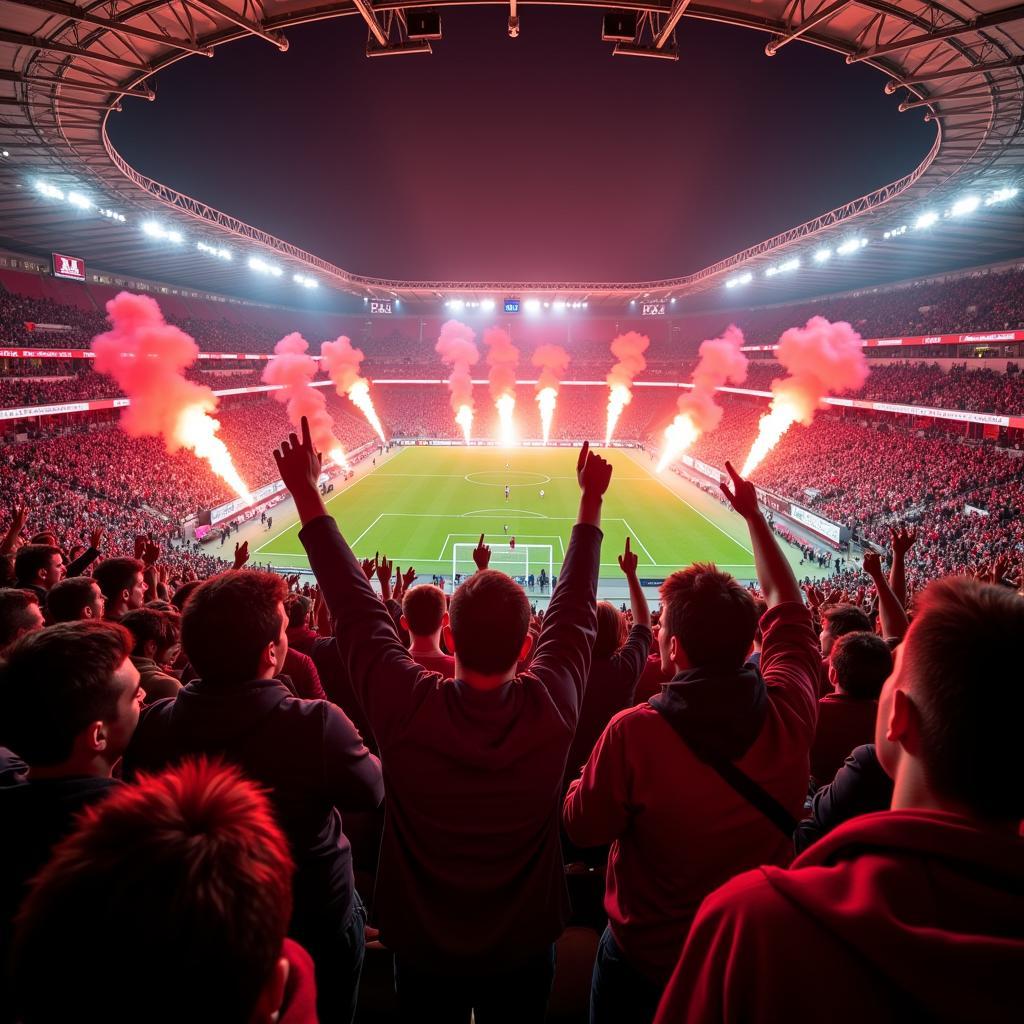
(195, 773)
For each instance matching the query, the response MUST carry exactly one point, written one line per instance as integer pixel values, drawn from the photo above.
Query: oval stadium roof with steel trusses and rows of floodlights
(66, 66)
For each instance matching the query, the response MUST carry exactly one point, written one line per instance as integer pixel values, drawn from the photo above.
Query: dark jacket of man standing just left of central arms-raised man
(307, 753)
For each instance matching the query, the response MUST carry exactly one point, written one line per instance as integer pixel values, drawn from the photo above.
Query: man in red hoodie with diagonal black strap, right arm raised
(740, 739)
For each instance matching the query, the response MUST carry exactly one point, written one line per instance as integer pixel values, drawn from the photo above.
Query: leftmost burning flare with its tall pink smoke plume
(148, 359)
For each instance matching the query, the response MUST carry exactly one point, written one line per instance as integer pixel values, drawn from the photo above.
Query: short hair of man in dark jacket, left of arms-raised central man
(229, 621)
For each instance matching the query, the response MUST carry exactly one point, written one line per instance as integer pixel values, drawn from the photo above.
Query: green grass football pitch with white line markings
(416, 506)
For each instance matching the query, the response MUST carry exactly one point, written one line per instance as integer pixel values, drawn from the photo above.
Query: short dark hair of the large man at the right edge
(962, 656)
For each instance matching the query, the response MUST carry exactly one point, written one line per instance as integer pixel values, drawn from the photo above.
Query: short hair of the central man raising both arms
(490, 619)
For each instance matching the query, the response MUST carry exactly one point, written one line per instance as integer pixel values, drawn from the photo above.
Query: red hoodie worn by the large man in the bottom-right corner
(900, 916)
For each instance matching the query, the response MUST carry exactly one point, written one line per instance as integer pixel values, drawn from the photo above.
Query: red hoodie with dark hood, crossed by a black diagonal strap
(677, 830)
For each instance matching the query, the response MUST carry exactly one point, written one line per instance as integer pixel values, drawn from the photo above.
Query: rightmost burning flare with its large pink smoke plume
(822, 359)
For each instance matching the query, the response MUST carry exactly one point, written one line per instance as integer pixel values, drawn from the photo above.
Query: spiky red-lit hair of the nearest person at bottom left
(189, 866)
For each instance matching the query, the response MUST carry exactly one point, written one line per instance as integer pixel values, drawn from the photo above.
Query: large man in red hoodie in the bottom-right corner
(940, 877)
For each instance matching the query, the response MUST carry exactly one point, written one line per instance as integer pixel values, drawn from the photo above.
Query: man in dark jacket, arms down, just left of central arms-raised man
(307, 753)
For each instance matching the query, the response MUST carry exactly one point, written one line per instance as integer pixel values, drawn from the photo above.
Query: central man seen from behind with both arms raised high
(471, 892)
